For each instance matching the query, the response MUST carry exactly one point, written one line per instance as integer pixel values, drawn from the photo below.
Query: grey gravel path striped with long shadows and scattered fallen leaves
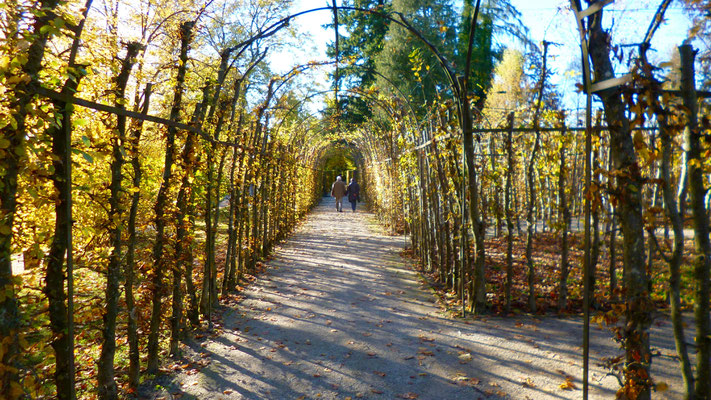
(338, 315)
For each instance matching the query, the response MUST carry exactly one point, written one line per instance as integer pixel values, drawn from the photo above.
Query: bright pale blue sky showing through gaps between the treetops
(549, 20)
